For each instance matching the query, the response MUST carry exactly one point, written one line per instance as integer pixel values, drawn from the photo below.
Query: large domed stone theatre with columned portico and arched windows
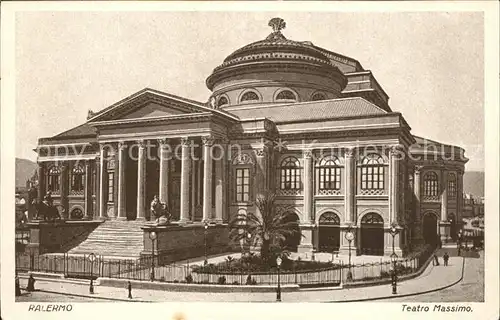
(311, 125)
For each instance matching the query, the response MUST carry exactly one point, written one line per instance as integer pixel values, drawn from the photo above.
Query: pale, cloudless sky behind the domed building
(431, 64)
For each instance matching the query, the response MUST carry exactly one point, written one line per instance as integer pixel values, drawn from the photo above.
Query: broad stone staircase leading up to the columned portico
(113, 238)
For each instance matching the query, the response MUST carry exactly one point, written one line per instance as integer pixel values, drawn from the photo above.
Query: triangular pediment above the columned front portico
(149, 103)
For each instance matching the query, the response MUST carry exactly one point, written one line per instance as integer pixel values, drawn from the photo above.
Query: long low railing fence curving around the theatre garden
(142, 269)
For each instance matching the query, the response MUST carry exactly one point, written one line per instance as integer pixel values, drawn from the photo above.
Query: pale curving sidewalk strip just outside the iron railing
(433, 278)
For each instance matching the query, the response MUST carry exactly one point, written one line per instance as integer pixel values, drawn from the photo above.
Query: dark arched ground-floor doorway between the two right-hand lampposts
(372, 234)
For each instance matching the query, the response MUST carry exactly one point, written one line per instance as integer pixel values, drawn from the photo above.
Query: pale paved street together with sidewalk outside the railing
(434, 277)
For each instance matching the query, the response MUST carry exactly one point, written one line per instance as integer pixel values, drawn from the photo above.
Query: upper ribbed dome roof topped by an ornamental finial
(275, 50)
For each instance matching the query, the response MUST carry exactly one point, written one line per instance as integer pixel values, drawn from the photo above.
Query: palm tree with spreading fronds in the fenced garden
(271, 226)
